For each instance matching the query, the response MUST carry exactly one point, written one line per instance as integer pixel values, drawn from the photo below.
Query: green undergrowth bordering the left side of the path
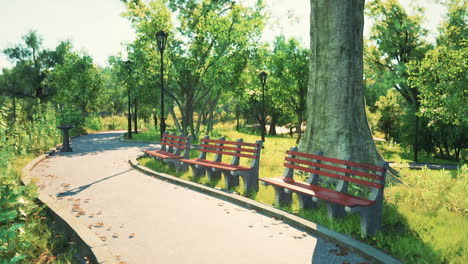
(27, 235)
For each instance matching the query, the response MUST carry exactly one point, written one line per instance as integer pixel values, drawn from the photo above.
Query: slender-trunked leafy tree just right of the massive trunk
(399, 39)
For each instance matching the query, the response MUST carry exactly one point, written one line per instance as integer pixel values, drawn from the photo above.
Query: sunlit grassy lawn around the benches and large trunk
(424, 217)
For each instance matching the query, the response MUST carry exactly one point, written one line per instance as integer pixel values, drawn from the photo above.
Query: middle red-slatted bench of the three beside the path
(236, 149)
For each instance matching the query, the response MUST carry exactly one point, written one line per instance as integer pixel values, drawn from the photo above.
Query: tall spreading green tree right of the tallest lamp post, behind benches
(213, 34)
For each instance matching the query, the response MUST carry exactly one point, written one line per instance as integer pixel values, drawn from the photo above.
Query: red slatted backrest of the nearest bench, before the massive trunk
(345, 171)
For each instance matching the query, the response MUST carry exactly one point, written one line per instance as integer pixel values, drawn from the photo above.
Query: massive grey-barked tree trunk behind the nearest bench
(336, 117)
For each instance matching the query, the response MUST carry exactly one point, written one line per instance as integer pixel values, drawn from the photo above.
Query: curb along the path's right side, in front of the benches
(367, 251)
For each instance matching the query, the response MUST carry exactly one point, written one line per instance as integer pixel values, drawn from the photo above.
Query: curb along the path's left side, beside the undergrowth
(87, 241)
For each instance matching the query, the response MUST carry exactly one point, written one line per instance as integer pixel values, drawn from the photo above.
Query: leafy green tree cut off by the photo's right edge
(442, 79)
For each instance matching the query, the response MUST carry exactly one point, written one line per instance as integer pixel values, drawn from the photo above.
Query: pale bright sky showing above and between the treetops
(97, 27)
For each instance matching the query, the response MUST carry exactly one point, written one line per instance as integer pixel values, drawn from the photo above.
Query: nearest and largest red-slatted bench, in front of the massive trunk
(344, 185)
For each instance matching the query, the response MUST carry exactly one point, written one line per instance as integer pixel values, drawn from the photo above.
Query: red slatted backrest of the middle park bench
(237, 149)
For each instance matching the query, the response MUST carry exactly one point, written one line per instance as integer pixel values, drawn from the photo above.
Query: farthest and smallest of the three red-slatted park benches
(171, 150)
